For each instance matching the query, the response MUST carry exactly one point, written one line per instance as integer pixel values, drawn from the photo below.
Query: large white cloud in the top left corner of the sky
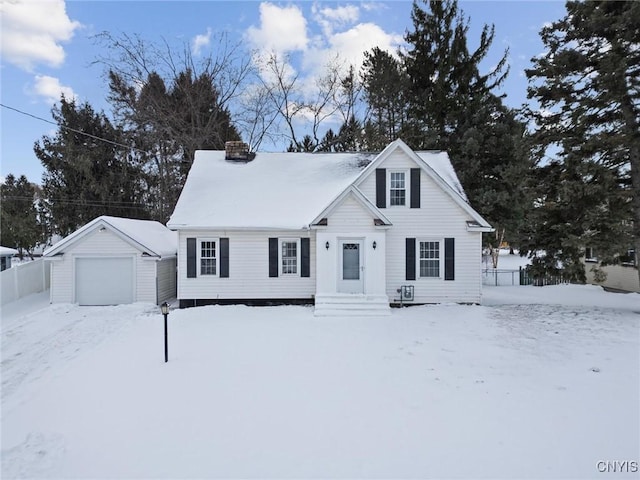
(32, 32)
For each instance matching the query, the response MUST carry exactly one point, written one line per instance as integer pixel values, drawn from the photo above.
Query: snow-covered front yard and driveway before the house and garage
(536, 383)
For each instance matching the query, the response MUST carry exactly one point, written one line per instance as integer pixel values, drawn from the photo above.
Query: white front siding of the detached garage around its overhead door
(97, 244)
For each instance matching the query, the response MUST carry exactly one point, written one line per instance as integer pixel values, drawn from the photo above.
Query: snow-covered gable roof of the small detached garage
(149, 236)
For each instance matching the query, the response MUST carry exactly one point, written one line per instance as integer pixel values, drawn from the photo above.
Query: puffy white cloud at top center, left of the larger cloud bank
(282, 29)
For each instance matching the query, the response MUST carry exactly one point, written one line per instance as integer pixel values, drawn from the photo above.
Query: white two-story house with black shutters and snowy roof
(345, 231)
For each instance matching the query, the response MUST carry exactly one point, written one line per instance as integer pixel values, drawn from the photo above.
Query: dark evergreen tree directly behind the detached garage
(87, 172)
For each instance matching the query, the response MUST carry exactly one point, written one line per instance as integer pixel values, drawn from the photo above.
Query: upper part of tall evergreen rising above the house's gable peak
(444, 77)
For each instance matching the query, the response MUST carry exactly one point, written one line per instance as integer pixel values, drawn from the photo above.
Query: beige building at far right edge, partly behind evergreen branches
(623, 276)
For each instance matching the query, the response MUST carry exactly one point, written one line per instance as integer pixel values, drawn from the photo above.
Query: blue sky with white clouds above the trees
(47, 46)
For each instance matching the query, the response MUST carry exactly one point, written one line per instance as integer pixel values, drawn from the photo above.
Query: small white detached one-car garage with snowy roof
(112, 261)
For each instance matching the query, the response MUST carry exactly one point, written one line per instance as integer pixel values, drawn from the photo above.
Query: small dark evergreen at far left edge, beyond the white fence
(20, 226)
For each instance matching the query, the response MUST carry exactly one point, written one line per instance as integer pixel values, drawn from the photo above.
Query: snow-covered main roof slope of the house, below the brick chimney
(275, 190)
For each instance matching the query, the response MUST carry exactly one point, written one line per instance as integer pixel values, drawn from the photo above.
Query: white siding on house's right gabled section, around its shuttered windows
(437, 218)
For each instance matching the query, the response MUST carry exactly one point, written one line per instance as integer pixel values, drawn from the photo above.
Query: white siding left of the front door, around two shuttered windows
(248, 269)
